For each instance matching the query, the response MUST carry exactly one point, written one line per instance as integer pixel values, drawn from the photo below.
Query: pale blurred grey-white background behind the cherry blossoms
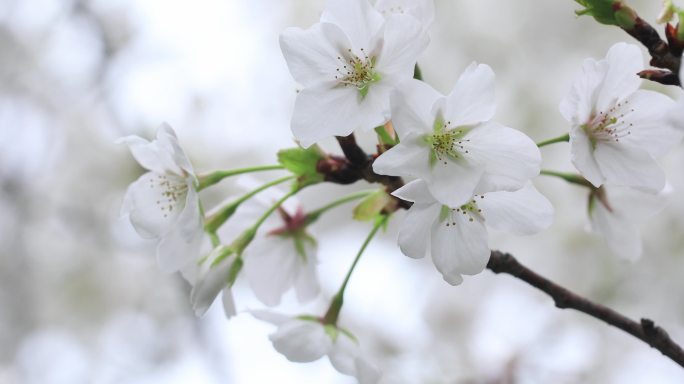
(82, 301)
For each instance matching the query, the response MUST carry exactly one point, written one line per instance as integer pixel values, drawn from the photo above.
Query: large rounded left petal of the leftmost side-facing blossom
(148, 205)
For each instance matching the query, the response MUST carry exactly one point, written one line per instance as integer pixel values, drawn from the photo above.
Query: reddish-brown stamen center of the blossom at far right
(609, 126)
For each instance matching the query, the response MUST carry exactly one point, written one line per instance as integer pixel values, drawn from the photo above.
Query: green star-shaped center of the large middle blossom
(446, 143)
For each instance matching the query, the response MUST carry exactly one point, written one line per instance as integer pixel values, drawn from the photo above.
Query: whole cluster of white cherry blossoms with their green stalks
(465, 171)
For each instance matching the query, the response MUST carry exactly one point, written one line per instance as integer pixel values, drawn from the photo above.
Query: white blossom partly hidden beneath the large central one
(456, 238)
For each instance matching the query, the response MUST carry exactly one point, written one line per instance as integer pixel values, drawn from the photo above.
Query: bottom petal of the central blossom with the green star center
(453, 183)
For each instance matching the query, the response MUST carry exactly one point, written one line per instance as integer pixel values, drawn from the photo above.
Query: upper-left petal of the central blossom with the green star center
(412, 107)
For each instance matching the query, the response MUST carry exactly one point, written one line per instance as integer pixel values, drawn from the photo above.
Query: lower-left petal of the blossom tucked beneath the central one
(414, 234)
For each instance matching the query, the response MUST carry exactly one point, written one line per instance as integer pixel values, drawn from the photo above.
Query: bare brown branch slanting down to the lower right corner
(646, 330)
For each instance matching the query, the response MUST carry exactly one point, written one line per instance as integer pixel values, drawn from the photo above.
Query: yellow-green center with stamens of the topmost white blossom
(357, 71)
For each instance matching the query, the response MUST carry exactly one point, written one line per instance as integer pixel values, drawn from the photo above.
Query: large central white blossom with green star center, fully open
(452, 145)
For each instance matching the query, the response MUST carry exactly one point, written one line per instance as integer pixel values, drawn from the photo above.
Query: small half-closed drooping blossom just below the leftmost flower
(209, 281)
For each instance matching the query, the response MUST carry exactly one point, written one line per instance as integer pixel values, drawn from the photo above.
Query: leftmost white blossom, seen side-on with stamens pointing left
(163, 203)
